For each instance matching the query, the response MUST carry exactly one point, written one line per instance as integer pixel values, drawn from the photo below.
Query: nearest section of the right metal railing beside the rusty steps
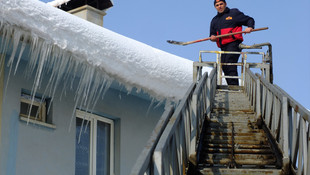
(296, 139)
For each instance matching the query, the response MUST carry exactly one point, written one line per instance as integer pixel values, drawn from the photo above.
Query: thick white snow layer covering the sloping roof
(132, 63)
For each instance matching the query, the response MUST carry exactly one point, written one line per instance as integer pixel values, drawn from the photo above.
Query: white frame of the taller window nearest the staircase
(93, 118)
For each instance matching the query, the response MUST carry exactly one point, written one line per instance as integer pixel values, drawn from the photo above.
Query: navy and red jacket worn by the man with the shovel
(231, 20)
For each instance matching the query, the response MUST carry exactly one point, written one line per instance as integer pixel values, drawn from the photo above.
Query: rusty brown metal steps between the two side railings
(233, 142)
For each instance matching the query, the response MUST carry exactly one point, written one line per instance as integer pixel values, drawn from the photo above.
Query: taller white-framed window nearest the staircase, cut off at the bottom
(94, 151)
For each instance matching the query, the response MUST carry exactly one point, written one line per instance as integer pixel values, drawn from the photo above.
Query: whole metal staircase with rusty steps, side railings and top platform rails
(256, 128)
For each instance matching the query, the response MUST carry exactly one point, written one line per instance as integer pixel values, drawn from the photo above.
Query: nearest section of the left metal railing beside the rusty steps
(172, 150)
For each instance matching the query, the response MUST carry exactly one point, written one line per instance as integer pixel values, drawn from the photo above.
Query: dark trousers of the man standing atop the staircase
(231, 70)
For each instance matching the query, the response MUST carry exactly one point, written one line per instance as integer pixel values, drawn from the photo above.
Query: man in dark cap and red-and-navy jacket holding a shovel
(228, 21)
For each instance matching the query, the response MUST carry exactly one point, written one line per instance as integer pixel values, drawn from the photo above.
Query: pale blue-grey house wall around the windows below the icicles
(36, 150)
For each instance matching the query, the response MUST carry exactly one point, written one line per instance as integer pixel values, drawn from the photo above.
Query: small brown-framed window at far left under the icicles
(34, 110)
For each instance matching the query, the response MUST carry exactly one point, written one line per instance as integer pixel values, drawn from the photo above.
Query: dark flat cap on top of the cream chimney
(98, 4)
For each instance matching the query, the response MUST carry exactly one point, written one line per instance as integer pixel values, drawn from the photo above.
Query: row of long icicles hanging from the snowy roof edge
(57, 67)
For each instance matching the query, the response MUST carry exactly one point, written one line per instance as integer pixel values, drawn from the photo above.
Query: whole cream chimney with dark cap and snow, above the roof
(90, 10)
